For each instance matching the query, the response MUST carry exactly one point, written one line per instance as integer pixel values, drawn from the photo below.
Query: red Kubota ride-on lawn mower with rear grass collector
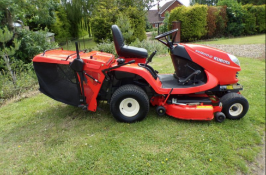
(204, 85)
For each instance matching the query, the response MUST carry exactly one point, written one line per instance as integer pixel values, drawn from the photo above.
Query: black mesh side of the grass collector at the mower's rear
(59, 82)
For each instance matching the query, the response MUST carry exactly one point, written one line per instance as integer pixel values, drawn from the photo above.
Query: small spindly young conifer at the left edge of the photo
(6, 52)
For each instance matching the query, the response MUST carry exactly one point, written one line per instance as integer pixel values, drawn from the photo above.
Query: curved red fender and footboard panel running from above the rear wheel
(157, 85)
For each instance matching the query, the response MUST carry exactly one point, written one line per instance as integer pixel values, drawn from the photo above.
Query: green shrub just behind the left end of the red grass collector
(32, 43)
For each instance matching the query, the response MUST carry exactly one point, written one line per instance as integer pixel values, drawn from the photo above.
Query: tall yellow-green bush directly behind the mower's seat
(106, 14)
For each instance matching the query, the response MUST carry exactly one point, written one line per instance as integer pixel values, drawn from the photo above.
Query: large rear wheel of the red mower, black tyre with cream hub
(129, 104)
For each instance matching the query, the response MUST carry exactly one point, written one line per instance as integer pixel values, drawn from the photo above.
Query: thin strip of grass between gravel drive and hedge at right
(256, 39)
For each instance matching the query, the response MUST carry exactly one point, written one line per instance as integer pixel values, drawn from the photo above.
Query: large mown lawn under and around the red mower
(41, 136)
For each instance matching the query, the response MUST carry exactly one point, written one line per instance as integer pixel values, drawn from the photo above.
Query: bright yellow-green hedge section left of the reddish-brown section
(193, 21)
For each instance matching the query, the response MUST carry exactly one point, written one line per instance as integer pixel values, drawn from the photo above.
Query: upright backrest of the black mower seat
(118, 39)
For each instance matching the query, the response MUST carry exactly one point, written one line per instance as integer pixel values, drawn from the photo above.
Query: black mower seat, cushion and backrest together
(123, 50)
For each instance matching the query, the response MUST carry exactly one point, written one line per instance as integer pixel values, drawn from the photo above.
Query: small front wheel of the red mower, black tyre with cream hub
(235, 106)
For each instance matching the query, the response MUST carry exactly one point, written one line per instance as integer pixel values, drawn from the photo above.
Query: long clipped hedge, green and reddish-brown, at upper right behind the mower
(228, 19)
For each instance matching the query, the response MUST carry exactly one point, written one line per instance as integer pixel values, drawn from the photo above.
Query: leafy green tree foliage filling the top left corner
(36, 14)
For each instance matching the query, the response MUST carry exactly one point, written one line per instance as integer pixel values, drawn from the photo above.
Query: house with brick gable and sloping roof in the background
(156, 17)
